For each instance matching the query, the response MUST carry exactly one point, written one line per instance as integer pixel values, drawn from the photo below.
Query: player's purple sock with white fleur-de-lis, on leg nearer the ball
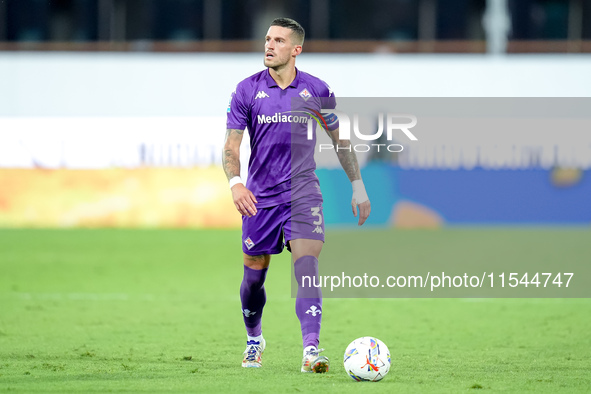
(308, 299)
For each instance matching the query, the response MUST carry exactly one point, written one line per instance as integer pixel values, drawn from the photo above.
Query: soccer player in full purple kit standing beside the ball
(282, 198)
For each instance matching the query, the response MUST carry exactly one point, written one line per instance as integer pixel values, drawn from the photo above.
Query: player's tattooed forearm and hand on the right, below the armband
(348, 161)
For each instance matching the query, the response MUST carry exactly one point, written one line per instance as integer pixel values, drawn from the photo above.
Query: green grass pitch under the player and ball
(158, 310)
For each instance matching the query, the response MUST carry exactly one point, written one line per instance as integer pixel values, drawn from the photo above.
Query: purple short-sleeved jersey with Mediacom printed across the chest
(281, 166)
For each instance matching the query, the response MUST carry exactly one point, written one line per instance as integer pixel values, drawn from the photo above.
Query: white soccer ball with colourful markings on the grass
(367, 359)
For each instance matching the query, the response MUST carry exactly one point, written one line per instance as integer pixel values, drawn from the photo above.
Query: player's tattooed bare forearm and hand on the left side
(243, 198)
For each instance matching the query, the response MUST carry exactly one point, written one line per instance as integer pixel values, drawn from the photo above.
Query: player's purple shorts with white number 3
(264, 233)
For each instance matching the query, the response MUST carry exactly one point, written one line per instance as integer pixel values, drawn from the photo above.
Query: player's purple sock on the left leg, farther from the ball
(253, 297)
